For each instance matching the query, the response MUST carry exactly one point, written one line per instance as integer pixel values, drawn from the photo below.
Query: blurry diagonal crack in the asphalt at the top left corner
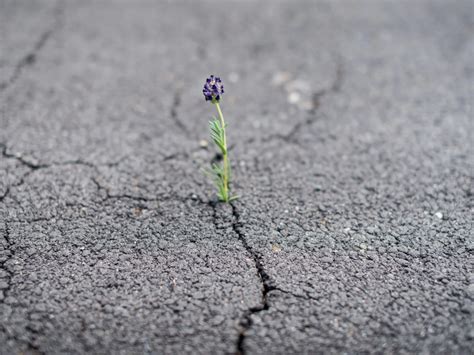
(30, 57)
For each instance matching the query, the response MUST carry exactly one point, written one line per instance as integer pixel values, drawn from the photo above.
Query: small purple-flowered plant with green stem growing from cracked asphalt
(220, 172)
